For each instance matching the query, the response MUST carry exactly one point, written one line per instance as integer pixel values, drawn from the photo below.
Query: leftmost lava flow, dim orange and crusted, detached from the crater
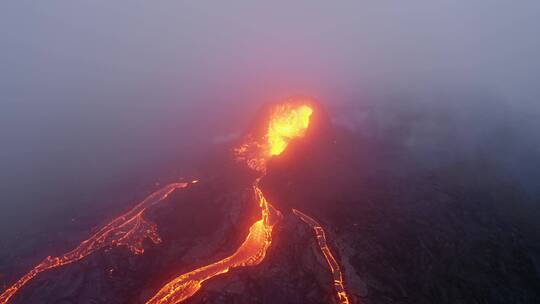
(129, 229)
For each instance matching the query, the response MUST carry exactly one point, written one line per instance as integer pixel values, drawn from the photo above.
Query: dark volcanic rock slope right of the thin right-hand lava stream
(446, 236)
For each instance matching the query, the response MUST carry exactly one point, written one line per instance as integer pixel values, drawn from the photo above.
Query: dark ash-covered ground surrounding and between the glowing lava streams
(460, 232)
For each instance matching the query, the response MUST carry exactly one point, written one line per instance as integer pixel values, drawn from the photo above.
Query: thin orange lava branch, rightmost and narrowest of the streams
(330, 259)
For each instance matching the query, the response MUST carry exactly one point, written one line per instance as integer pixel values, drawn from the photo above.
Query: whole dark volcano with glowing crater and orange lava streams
(297, 211)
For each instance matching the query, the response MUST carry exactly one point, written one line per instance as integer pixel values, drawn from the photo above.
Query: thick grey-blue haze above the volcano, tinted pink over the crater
(100, 96)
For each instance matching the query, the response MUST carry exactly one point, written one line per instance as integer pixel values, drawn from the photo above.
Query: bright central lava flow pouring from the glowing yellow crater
(287, 122)
